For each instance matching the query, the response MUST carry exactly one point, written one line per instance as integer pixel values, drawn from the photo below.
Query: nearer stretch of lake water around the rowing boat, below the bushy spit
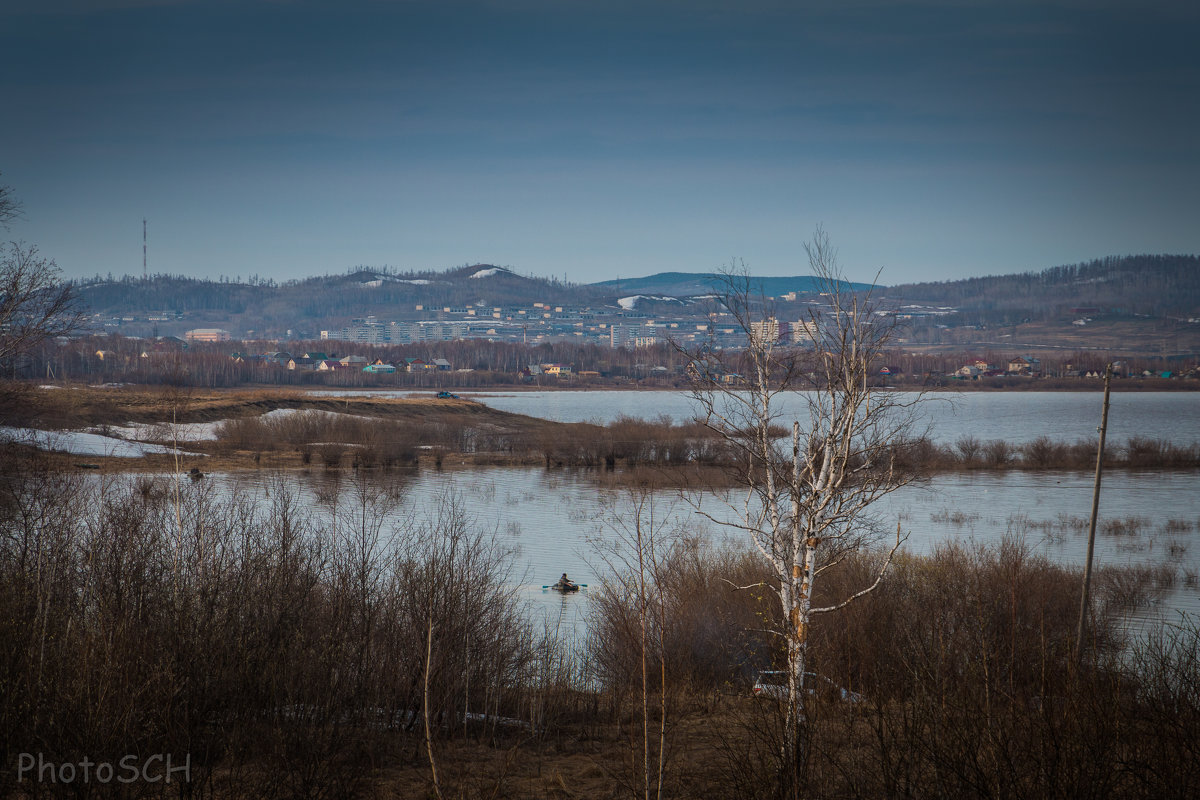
(560, 522)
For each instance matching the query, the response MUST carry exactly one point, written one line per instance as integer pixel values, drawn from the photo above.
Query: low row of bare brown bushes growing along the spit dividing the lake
(339, 440)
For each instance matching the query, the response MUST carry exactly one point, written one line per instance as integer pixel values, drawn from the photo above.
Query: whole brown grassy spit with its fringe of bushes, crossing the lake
(386, 434)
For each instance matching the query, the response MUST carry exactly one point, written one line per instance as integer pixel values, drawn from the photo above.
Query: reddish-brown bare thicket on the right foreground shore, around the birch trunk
(955, 678)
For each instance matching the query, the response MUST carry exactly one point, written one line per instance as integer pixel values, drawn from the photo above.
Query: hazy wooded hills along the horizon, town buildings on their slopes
(1107, 303)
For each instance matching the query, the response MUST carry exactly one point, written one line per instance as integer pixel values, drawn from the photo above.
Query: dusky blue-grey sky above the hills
(592, 141)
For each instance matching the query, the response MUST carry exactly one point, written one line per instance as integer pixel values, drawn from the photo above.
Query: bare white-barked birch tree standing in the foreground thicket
(807, 507)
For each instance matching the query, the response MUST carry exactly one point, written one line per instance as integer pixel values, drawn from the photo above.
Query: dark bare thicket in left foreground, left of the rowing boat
(287, 653)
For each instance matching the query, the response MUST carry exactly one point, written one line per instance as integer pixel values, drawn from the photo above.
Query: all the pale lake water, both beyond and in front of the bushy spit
(556, 518)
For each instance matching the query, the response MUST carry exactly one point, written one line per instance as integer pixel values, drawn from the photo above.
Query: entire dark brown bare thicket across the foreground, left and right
(299, 651)
